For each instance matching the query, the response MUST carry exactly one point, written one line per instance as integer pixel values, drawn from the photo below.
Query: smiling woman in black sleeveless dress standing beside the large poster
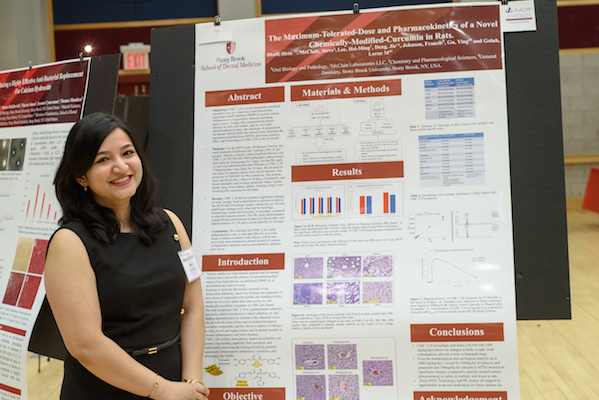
(132, 324)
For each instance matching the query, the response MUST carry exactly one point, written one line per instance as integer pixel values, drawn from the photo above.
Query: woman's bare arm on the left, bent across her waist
(71, 290)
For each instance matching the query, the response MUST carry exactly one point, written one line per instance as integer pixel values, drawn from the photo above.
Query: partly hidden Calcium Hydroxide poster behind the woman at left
(38, 106)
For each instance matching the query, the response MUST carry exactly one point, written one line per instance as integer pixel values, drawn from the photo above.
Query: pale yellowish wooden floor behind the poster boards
(559, 360)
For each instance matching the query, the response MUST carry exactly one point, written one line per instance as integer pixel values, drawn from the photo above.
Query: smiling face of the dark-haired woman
(115, 173)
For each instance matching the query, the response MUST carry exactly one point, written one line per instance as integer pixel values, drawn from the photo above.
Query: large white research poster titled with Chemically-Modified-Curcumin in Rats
(352, 174)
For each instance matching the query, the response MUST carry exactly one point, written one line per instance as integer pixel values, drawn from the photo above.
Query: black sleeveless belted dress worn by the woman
(141, 292)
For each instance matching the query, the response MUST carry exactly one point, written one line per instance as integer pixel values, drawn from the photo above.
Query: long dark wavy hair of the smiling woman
(81, 148)
